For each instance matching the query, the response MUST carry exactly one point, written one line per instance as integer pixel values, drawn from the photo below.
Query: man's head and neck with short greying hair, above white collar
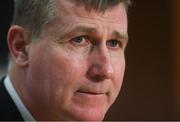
(68, 56)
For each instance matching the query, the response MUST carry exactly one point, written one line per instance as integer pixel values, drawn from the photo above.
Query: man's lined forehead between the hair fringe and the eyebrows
(68, 14)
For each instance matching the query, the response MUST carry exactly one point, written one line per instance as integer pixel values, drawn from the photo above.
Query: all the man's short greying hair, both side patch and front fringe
(35, 14)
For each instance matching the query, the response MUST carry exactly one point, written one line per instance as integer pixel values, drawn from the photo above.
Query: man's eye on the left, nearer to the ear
(80, 41)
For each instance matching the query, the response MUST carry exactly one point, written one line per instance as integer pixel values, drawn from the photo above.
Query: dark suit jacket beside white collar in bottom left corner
(8, 109)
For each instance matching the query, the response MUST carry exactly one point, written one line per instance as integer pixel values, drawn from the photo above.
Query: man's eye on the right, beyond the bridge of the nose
(114, 44)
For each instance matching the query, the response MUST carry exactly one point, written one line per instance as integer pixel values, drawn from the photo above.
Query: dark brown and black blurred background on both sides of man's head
(151, 88)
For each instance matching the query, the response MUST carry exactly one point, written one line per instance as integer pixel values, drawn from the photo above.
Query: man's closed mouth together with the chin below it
(90, 103)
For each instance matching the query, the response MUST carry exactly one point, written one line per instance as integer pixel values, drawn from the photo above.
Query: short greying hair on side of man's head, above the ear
(33, 14)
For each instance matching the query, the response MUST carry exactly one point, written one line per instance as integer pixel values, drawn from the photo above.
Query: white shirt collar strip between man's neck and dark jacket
(26, 115)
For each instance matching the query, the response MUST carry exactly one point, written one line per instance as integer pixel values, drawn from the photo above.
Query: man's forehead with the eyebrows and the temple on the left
(70, 16)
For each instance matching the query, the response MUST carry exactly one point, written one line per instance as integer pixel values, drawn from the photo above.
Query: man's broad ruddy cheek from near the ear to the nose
(58, 74)
